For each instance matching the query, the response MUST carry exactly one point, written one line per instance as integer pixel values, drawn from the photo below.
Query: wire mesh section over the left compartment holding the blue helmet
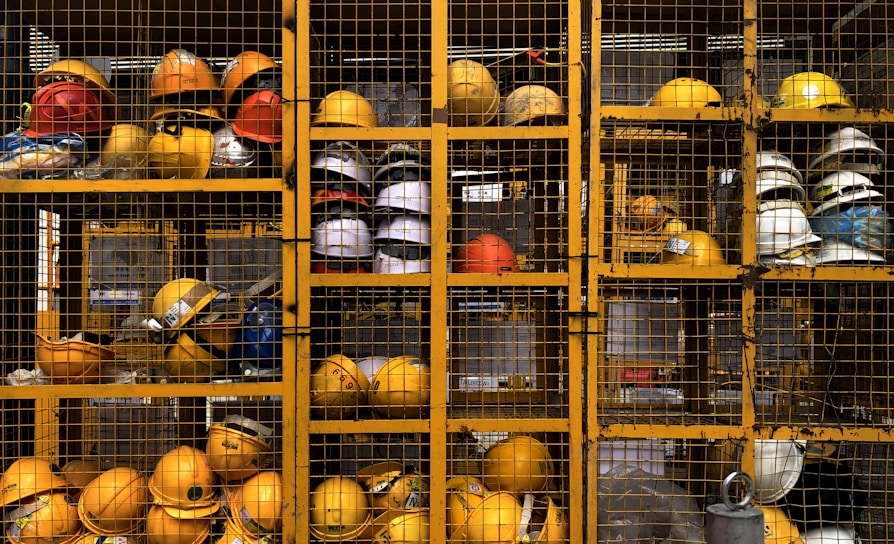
(149, 296)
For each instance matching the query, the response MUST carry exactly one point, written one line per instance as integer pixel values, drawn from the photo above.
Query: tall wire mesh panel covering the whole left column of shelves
(142, 244)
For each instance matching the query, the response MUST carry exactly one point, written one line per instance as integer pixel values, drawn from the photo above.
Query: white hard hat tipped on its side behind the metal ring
(777, 466)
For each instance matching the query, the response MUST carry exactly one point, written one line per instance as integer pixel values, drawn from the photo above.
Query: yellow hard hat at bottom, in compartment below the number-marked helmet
(339, 510)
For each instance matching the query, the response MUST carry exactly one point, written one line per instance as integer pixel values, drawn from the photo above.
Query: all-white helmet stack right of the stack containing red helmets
(402, 207)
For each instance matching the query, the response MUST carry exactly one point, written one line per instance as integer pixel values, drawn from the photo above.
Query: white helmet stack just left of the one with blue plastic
(784, 236)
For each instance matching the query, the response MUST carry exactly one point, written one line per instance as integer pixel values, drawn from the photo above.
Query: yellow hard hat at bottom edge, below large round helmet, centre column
(495, 520)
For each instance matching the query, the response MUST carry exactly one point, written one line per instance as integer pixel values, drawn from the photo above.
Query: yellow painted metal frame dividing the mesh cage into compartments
(582, 281)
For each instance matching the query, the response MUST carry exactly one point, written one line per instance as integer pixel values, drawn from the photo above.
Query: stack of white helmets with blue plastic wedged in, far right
(847, 208)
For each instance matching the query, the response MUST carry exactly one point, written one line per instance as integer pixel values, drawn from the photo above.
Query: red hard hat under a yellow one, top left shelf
(67, 106)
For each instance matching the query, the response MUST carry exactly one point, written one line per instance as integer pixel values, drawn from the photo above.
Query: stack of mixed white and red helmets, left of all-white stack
(341, 215)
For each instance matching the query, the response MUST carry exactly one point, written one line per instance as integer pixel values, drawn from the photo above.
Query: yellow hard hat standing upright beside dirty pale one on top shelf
(472, 96)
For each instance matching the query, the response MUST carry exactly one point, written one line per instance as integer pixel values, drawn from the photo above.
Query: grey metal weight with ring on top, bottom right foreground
(735, 522)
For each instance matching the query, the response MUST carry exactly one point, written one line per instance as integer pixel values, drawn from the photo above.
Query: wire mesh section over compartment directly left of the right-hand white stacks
(655, 188)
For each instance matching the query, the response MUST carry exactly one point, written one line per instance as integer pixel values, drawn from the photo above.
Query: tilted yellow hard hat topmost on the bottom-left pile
(235, 446)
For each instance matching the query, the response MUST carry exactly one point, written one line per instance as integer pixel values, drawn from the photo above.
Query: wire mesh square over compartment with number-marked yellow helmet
(371, 352)
